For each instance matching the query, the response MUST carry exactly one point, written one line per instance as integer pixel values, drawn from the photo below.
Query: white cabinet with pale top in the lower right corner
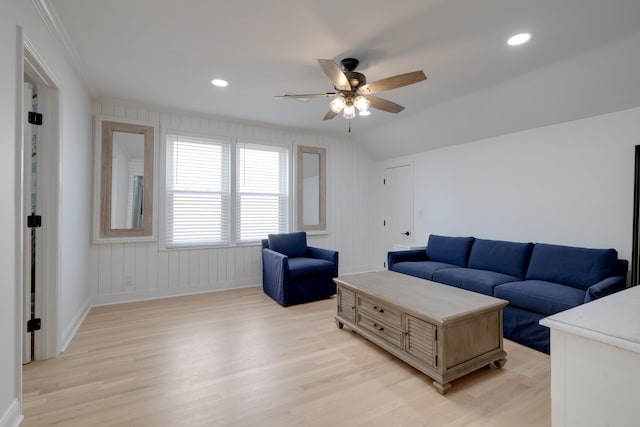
(595, 362)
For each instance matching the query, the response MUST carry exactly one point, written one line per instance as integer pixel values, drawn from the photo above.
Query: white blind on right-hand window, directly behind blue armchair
(262, 194)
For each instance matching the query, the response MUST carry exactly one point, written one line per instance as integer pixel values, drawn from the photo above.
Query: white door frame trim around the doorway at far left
(47, 341)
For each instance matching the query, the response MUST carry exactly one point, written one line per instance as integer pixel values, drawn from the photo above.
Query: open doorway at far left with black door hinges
(40, 196)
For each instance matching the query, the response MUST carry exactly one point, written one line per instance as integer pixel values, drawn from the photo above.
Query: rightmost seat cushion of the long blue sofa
(539, 296)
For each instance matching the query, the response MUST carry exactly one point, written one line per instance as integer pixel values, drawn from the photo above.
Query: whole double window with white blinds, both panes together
(201, 196)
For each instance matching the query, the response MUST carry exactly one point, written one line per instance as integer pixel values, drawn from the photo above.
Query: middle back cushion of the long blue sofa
(503, 257)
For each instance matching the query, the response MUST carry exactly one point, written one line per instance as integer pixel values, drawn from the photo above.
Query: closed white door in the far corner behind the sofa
(398, 202)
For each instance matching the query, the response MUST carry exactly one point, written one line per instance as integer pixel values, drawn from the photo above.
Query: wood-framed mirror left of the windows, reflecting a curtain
(125, 180)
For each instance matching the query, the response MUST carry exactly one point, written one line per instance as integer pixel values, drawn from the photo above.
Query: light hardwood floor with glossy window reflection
(236, 358)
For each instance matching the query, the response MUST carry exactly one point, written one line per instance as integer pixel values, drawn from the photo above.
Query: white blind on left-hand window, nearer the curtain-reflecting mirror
(198, 191)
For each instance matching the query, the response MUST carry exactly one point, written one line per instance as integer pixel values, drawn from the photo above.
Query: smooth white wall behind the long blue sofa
(570, 184)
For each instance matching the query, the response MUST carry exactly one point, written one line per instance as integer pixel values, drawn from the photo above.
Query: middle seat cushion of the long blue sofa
(482, 281)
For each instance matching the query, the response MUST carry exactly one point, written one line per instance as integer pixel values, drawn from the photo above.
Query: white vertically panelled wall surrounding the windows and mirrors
(130, 271)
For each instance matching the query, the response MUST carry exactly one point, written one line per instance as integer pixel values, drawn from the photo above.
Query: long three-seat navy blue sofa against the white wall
(538, 279)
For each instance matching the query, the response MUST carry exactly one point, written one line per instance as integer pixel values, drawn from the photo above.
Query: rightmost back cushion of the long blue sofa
(577, 267)
